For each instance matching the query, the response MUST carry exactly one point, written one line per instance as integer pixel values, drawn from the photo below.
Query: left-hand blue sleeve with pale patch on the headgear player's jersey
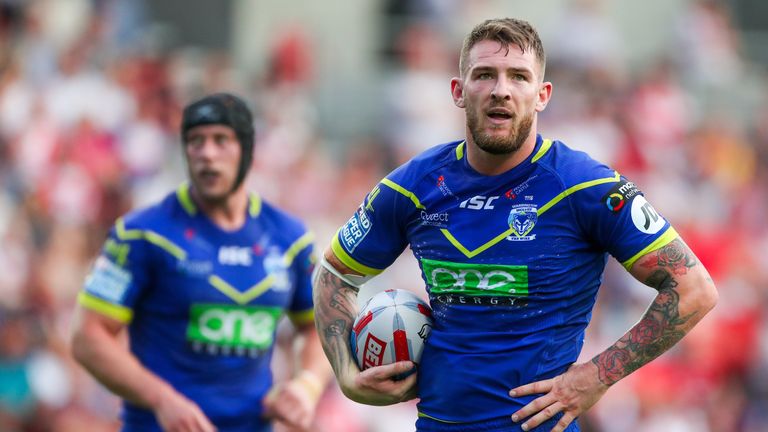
(118, 276)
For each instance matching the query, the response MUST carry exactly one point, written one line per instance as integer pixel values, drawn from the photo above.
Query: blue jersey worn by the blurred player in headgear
(202, 304)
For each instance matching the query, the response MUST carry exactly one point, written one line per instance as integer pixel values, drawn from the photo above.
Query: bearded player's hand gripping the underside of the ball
(382, 385)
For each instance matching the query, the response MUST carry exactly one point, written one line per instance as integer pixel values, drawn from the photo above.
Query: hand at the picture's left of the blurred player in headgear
(176, 413)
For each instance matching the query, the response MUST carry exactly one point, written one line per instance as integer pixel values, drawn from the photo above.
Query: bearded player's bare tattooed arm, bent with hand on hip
(686, 293)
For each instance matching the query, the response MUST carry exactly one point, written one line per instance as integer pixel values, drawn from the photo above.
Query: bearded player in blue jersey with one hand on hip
(513, 268)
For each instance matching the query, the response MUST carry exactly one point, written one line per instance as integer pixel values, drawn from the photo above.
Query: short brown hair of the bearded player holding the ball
(506, 31)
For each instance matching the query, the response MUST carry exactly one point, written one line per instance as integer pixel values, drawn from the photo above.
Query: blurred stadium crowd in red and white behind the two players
(673, 93)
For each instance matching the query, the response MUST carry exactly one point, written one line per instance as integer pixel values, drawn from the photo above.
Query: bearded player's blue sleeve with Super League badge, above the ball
(375, 235)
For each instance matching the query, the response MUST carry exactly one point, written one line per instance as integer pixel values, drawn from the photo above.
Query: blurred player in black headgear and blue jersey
(200, 281)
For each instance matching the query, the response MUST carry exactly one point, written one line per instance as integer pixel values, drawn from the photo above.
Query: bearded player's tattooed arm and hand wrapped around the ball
(335, 311)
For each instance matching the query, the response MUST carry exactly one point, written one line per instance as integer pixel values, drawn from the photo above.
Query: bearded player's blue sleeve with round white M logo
(619, 219)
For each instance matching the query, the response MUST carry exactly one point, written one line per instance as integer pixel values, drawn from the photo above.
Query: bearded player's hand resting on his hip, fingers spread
(571, 393)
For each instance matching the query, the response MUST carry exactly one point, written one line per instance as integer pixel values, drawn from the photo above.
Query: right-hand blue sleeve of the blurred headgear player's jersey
(301, 309)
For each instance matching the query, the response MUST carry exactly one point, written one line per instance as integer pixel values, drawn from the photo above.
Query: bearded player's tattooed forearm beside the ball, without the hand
(335, 310)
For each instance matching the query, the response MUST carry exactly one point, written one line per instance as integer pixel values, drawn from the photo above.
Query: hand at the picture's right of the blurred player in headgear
(293, 403)
